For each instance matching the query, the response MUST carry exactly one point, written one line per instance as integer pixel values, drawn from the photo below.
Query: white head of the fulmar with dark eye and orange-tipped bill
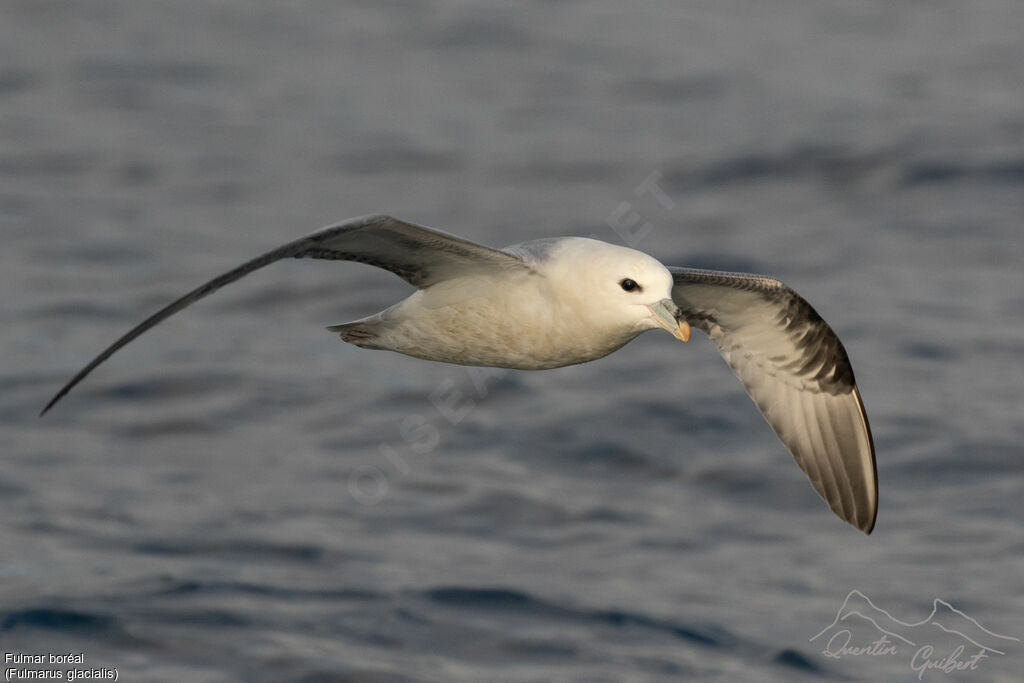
(618, 288)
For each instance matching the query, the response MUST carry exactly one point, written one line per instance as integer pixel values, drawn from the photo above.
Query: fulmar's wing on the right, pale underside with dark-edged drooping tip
(798, 373)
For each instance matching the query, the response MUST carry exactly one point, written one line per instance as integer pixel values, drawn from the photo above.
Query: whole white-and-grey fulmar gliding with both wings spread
(563, 302)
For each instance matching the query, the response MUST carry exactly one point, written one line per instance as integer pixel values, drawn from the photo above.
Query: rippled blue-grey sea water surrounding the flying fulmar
(198, 509)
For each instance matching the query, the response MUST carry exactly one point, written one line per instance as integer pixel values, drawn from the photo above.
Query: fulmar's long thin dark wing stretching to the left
(420, 255)
